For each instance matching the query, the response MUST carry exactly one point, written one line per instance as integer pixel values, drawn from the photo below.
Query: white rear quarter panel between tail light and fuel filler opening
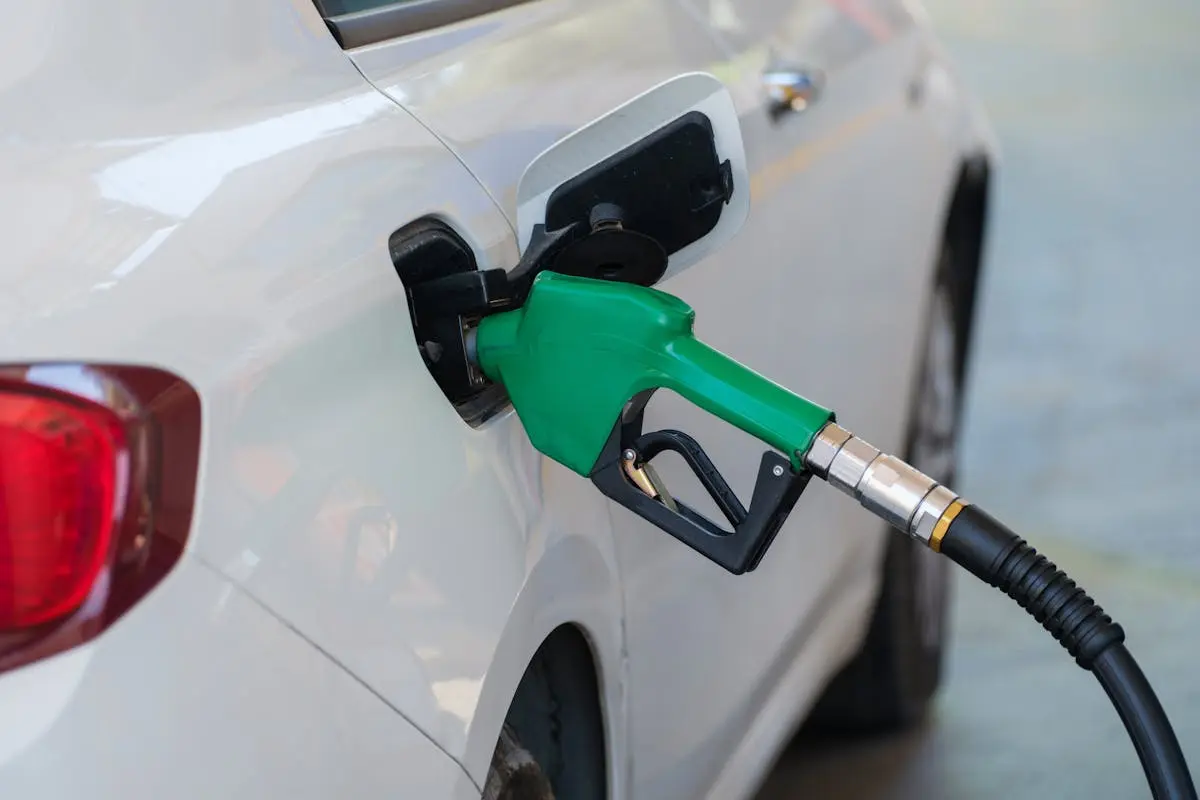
(227, 216)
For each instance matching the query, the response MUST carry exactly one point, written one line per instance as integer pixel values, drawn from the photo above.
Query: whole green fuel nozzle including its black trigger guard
(580, 360)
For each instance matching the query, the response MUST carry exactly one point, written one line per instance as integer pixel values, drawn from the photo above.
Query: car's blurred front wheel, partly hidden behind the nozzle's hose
(890, 683)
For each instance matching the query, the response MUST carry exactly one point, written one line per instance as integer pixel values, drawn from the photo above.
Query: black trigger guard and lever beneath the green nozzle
(777, 490)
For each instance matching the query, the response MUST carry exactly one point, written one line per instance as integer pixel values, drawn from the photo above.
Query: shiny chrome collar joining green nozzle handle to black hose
(886, 486)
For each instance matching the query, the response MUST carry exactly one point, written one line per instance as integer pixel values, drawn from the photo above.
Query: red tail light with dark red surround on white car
(91, 518)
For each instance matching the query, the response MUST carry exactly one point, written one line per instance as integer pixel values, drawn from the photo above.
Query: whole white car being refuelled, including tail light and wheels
(249, 549)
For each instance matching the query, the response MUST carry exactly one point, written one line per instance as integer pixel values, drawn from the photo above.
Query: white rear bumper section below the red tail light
(205, 694)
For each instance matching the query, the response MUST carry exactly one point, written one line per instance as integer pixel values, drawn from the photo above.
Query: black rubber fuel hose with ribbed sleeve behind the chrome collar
(1001, 558)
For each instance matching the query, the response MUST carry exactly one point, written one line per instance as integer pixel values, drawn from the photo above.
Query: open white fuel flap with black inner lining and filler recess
(635, 197)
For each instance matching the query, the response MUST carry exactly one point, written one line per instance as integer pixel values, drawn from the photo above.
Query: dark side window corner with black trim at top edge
(409, 17)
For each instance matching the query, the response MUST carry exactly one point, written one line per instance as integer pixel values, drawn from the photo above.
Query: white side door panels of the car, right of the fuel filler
(503, 88)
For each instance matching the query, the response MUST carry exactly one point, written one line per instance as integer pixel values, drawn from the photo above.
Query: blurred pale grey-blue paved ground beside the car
(1084, 424)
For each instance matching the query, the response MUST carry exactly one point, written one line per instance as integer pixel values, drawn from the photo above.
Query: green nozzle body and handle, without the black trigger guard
(580, 350)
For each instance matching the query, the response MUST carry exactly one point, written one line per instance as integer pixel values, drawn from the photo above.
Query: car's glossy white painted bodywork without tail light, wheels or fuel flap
(211, 189)
